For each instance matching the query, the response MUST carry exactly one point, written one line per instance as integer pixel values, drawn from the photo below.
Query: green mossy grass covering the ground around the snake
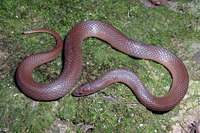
(157, 26)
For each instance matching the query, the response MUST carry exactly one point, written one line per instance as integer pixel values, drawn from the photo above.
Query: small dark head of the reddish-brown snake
(82, 90)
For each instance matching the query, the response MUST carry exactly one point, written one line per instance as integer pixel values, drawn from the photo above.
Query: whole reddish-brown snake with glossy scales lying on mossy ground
(73, 67)
